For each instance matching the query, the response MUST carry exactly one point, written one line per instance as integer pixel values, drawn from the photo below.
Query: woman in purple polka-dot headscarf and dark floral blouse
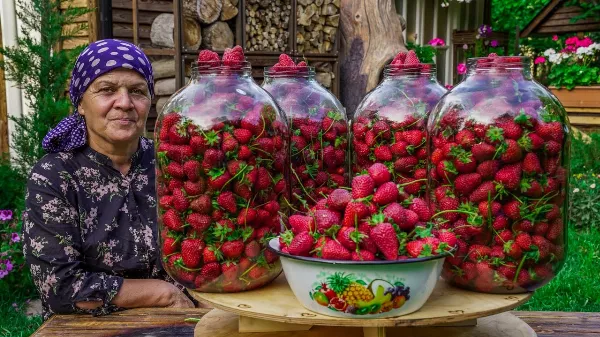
(90, 221)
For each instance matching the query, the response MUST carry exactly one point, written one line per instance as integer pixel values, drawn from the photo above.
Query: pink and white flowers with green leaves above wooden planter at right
(577, 62)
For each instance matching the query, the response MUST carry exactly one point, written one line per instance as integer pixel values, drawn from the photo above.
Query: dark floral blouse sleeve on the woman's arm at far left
(52, 245)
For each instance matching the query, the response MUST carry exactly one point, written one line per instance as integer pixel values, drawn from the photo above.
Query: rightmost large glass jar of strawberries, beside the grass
(499, 154)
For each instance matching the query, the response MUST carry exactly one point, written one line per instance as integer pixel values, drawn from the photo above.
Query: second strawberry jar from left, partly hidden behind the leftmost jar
(319, 131)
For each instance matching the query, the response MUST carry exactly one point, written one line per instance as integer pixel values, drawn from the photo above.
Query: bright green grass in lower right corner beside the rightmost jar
(575, 288)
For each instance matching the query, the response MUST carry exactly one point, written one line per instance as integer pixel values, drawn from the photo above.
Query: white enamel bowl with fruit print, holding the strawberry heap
(360, 289)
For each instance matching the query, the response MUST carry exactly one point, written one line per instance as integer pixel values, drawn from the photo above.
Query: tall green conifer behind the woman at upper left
(42, 71)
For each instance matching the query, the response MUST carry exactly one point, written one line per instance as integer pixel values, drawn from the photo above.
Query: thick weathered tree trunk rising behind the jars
(367, 45)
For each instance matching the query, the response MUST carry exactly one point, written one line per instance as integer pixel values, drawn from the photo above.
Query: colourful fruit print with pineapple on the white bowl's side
(350, 294)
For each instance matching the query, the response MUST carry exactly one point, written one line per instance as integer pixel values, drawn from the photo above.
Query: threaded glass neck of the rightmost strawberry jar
(500, 65)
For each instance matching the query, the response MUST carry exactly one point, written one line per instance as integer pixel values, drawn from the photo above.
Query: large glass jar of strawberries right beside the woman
(222, 161)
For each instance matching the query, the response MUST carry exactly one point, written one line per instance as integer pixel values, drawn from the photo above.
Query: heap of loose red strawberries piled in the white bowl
(373, 220)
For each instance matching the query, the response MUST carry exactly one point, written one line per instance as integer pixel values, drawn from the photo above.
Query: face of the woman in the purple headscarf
(115, 107)
